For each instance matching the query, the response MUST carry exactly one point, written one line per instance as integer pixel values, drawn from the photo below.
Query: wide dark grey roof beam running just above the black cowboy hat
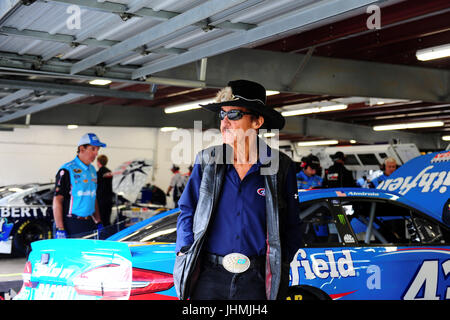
(323, 75)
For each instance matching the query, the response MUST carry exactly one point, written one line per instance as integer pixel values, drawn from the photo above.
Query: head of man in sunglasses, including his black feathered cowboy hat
(242, 110)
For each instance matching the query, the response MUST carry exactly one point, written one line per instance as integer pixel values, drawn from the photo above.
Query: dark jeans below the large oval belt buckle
(216, 283)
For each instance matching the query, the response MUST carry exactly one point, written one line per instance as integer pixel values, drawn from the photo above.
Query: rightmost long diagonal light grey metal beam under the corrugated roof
(320, 11)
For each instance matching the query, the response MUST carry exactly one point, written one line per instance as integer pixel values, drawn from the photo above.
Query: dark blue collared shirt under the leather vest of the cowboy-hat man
(239, 223)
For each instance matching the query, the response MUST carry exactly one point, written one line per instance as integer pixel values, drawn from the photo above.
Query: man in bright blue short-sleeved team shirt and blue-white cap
(75, 207)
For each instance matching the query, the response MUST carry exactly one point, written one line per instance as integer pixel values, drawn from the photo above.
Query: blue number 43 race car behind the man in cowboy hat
(387, 243)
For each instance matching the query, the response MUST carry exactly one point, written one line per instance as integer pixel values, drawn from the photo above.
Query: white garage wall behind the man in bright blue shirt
(35, 154)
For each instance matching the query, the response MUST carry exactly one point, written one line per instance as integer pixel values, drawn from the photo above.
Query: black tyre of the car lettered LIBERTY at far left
(26, 233)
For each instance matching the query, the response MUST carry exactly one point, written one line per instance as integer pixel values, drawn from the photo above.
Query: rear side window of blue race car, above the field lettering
(318, 224)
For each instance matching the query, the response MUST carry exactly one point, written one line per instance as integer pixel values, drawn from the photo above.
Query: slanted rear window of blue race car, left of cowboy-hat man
(161, 230)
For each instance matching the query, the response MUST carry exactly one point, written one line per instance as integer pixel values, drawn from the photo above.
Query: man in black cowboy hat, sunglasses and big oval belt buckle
(239, 228)
